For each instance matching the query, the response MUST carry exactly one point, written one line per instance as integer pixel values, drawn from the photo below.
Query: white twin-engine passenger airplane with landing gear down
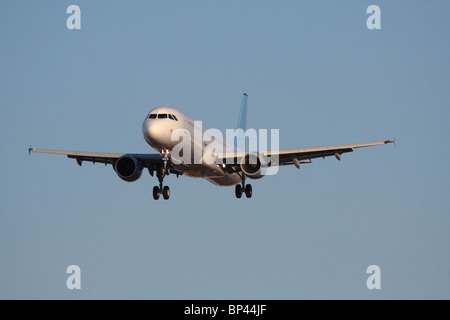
(230, 169)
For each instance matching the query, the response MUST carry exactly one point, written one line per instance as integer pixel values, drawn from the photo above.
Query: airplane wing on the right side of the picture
(298, 156)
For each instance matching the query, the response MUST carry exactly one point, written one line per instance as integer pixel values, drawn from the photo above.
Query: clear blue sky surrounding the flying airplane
(311, 69)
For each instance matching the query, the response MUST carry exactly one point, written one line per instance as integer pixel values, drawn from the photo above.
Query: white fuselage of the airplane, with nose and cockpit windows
(157, 129)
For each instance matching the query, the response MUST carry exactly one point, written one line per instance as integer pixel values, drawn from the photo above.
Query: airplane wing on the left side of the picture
(151, 161)
